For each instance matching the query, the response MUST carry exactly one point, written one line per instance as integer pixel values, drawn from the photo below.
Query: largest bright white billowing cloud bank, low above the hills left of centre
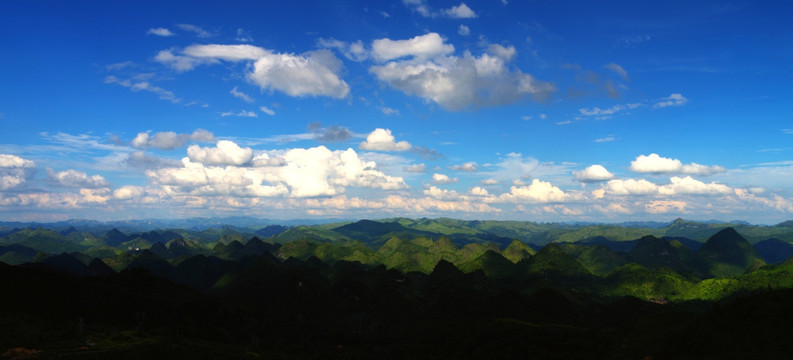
(296, 173)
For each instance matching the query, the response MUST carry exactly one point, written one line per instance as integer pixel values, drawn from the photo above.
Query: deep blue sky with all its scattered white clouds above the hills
(566, 111)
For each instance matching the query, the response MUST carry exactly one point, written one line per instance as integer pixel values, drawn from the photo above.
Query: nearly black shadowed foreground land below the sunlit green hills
(307, 309)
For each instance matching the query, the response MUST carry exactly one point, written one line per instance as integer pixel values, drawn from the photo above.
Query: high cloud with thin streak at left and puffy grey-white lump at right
(314, 73)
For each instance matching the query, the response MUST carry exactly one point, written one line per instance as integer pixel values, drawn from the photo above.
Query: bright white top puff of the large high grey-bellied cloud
(422, 47)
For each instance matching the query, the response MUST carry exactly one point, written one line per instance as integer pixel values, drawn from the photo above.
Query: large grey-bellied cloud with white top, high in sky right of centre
(454, 83)
